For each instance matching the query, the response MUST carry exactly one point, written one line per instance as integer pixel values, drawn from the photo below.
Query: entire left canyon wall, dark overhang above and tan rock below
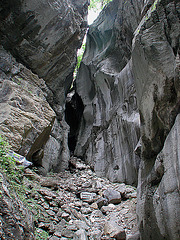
(42, 38)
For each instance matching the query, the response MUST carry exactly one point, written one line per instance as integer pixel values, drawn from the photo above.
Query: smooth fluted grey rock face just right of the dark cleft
(109, 129)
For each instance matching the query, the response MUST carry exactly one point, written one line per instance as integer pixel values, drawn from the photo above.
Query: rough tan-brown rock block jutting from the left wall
(26, 118)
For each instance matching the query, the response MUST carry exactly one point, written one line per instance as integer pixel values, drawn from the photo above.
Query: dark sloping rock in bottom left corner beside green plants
(16, 220)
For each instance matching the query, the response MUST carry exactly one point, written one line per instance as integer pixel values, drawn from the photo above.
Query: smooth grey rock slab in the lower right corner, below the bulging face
(159, 198)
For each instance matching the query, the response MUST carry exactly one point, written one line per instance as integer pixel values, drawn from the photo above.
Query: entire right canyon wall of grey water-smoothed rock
(129, 84)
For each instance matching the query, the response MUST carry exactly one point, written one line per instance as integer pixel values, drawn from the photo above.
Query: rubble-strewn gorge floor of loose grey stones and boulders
(77, 204)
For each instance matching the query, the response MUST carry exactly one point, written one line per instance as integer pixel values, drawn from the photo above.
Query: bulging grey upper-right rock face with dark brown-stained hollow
(156, 67)
